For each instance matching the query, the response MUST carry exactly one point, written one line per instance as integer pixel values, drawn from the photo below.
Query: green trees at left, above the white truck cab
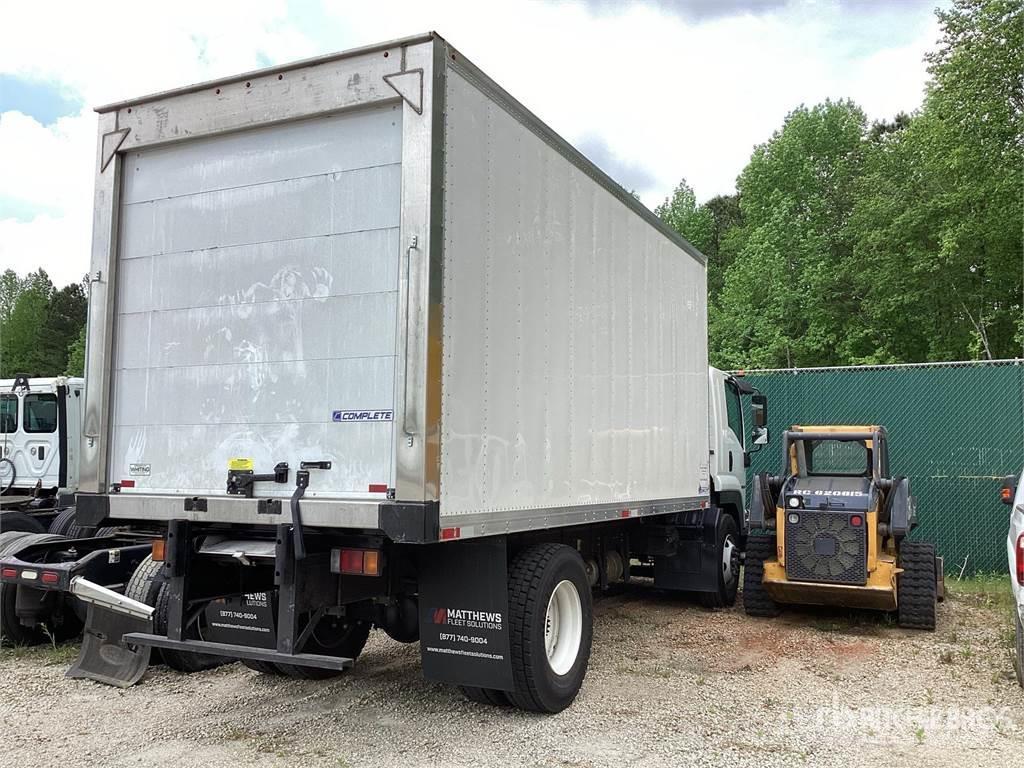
(42, 329)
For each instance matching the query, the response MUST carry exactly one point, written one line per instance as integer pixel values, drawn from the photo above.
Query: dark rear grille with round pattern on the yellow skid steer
(827, 547)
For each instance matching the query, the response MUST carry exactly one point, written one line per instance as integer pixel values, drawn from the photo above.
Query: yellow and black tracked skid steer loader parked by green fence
(835, 531)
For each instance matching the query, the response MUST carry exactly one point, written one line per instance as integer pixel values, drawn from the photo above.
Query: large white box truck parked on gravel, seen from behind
(379, 349)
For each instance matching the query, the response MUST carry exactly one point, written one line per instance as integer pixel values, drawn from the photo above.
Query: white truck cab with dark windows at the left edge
(40, 436)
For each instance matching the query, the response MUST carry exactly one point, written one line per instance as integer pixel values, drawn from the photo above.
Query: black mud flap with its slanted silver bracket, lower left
(106, 657)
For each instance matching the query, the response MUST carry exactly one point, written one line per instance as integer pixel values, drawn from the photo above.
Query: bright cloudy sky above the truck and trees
(653, 91)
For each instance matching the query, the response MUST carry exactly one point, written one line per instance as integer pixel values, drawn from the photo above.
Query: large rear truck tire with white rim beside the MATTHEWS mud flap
(551, 626)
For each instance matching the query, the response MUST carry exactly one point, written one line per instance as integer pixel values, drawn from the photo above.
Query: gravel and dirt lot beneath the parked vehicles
(669, 685)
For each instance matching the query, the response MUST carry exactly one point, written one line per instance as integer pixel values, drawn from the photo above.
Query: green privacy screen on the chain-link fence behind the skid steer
(955, 430)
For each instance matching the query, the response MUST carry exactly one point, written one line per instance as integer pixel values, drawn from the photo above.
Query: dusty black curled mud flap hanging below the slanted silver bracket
(105, 657)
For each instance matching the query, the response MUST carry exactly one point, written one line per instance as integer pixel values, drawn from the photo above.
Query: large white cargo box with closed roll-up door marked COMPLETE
(381, 261)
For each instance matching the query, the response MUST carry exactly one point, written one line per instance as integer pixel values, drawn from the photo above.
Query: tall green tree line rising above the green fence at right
(849, 243)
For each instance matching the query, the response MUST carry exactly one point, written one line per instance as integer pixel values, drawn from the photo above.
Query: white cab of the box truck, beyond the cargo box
(733, 440)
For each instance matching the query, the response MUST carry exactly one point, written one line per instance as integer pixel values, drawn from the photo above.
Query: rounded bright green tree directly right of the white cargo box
(784, 300)
